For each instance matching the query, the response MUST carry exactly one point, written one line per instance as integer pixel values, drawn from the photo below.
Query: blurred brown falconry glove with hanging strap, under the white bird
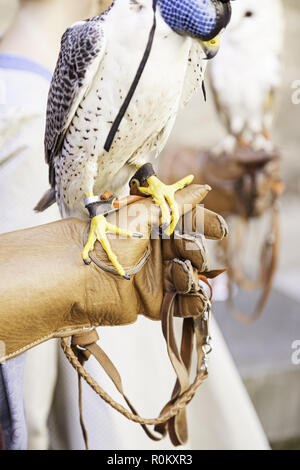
(246, 184)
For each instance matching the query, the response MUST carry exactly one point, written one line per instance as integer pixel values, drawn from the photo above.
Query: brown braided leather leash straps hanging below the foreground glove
(173, 417)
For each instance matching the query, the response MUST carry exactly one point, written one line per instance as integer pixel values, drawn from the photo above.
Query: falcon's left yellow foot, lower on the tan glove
(98, 230)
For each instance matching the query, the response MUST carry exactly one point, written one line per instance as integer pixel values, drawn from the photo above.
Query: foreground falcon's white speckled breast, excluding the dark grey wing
(169, 80)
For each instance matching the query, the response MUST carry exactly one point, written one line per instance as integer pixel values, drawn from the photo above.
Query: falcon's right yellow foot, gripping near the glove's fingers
(164, 195)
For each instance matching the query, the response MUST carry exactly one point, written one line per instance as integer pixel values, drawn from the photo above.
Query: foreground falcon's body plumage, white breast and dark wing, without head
(97, 64)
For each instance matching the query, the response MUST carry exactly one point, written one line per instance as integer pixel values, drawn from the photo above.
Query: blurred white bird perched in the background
(245, 91)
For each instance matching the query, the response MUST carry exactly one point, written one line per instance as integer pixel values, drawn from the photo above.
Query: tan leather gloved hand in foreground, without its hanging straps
(46, 291)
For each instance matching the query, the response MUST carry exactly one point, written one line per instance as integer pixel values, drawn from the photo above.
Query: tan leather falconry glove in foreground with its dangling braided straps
(48, 293)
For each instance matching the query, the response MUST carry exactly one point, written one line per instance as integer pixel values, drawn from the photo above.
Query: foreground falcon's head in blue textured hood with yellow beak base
(200, 19)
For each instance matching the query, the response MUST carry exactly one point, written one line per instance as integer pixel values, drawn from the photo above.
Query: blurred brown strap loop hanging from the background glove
(268, 266)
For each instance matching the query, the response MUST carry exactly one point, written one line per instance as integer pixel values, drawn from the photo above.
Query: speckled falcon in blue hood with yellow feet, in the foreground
(112, 103)
